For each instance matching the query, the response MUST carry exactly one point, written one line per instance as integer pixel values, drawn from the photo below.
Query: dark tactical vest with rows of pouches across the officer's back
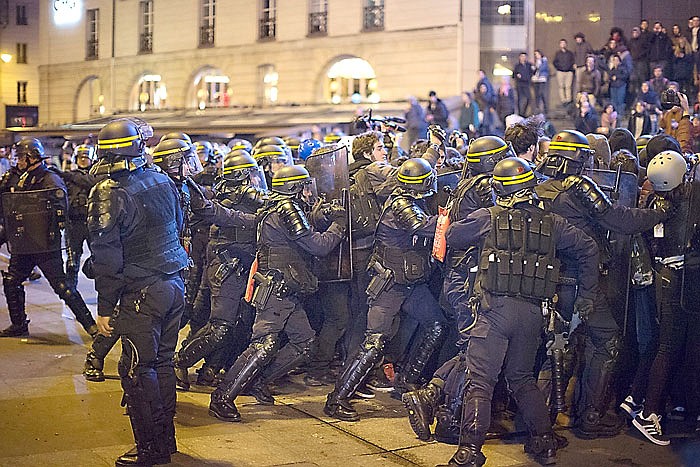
(518, 257)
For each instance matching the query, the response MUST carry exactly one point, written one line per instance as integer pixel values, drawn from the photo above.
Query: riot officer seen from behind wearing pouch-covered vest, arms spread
(518, 270)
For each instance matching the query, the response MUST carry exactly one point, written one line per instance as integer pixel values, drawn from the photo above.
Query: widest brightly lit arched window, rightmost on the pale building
(348, 78)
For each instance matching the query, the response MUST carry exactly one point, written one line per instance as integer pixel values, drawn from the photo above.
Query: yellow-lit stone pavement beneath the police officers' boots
(51, 416)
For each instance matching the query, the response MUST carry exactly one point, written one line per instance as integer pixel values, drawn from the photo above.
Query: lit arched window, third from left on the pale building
(208, 87)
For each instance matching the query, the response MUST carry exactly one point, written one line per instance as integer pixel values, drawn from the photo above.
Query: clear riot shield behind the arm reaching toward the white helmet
(621, 188)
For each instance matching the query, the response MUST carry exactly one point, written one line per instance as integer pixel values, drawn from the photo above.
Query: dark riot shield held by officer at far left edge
(34, 219)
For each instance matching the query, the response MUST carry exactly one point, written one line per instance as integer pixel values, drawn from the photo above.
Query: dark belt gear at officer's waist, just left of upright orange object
(409, 267)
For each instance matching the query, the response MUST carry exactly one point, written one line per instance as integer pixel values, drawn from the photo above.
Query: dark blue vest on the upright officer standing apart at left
(154, 242)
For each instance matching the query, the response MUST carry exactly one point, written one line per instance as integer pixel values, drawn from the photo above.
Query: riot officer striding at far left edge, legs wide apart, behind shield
(50, 260)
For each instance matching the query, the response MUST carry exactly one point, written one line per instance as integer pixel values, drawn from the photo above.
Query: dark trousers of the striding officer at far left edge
(51, 265)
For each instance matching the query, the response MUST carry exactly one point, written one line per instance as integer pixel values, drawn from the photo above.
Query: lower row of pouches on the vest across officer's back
(526, 275)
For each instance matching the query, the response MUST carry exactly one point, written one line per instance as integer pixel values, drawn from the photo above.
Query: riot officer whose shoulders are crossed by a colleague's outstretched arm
(230, 254)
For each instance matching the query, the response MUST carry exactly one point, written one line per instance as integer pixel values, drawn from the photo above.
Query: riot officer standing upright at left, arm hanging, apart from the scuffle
(135, 219)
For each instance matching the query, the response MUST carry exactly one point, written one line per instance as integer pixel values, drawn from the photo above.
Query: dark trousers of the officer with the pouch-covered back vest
(506, 336)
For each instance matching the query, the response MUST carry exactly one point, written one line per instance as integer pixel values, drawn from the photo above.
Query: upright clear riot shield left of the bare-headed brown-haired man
(329, 168)
